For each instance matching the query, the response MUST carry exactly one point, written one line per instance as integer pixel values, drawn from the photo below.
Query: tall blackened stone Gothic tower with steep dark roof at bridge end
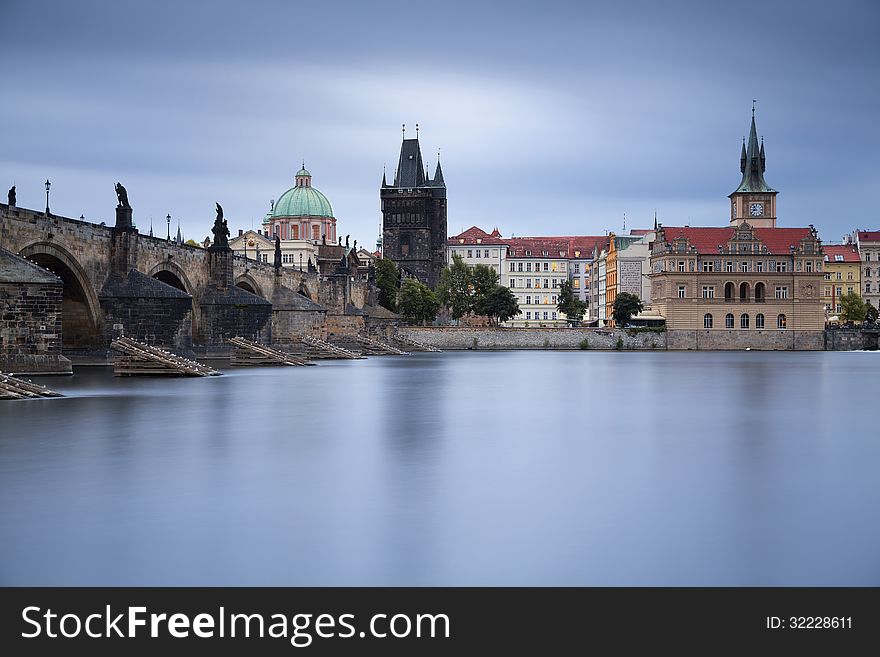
(414, 216)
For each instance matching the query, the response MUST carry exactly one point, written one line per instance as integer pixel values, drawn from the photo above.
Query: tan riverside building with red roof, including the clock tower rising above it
(731, 286)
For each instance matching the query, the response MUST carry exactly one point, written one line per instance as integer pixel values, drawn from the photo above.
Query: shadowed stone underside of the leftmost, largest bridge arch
(80, 310)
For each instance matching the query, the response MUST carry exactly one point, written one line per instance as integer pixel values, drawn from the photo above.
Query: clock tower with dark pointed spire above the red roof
(754, 201)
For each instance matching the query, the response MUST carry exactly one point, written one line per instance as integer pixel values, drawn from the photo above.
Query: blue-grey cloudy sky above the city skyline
(551, 118)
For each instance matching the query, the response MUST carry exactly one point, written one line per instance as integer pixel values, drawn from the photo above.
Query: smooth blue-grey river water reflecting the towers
(472, 468)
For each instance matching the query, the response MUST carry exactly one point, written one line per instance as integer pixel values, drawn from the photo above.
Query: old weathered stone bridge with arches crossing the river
(188, 299)
